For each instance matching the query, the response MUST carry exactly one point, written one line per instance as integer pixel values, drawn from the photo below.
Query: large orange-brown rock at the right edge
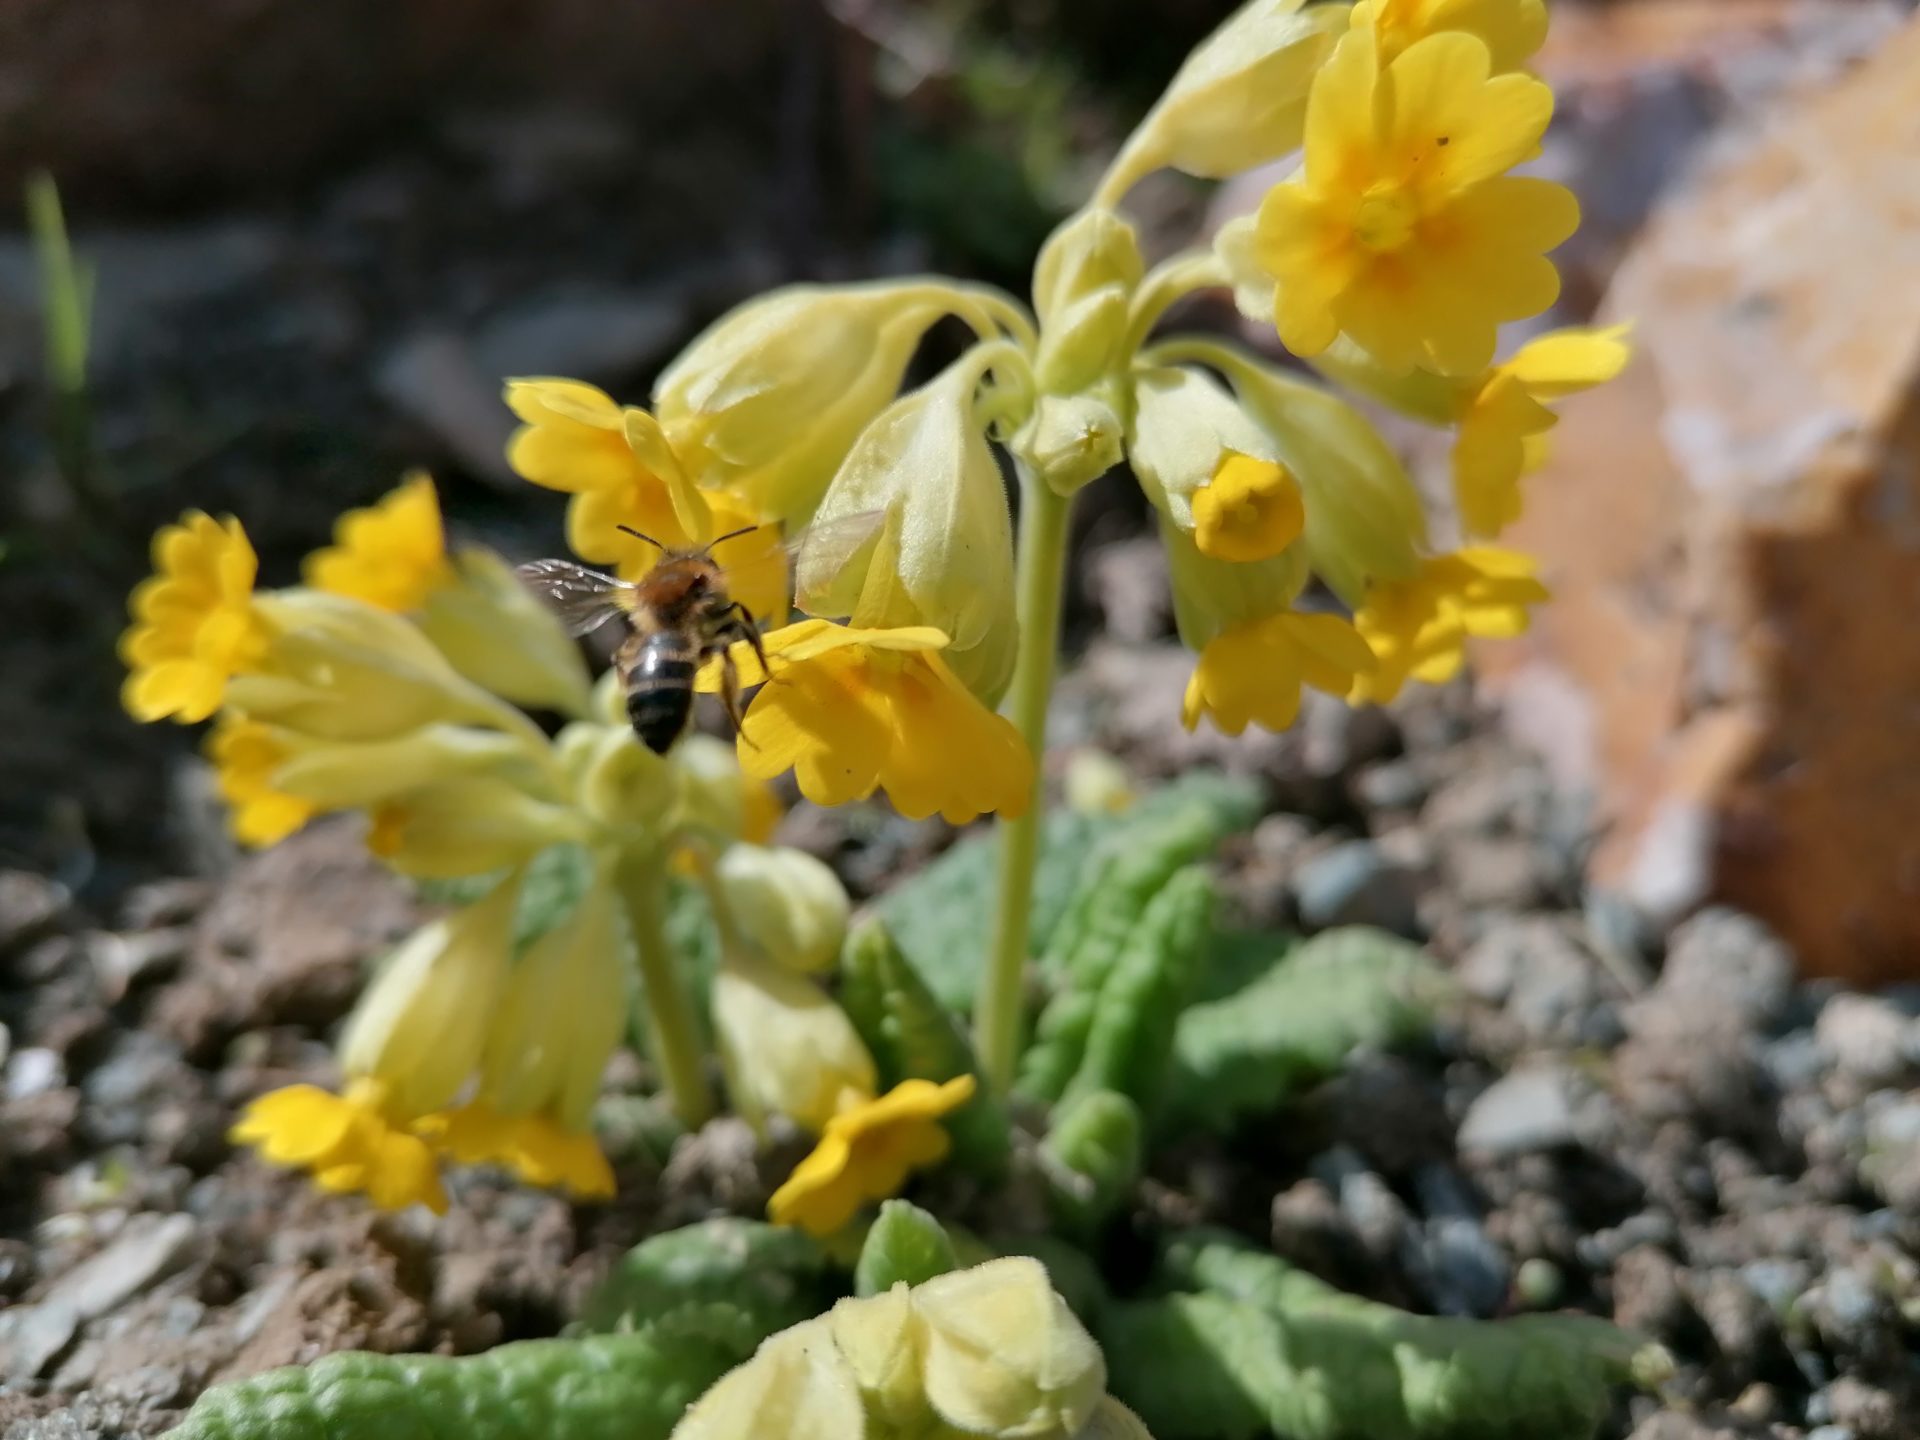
(1733, 529)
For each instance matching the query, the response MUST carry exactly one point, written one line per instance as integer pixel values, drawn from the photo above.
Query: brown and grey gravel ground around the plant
(1668, 1130)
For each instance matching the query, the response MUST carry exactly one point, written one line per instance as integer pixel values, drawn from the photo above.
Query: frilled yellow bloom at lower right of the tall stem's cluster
(1420, 629)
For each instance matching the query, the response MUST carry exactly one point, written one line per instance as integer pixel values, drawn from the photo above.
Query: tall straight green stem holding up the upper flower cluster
(1044, 560)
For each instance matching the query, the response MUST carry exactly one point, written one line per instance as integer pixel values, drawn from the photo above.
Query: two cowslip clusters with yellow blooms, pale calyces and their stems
(396, 681)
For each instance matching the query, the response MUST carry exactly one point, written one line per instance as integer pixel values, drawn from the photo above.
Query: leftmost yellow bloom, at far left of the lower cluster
(195, 621)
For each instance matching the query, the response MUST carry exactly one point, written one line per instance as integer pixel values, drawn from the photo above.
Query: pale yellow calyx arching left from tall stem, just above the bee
(773, 396)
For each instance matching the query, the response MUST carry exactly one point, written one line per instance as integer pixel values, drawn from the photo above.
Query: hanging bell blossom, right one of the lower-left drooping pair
(562, 1015)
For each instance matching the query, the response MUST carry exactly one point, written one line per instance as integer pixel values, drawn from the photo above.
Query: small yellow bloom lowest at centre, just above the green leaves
(867, 1155)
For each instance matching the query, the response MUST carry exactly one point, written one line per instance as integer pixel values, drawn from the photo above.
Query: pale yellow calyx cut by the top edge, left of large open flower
(1239, 101)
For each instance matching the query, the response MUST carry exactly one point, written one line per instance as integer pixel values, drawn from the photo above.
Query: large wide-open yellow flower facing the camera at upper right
(1403, 229)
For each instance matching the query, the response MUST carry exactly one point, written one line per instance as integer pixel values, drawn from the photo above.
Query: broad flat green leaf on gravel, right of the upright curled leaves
(1295, 1026)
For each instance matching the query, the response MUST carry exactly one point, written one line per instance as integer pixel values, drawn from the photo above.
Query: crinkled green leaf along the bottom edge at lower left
(610, 1387)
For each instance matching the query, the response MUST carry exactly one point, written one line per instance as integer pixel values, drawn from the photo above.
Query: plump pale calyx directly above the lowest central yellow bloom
(786, 1047)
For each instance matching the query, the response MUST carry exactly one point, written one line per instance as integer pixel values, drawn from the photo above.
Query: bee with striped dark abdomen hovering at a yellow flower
(679, 615)
